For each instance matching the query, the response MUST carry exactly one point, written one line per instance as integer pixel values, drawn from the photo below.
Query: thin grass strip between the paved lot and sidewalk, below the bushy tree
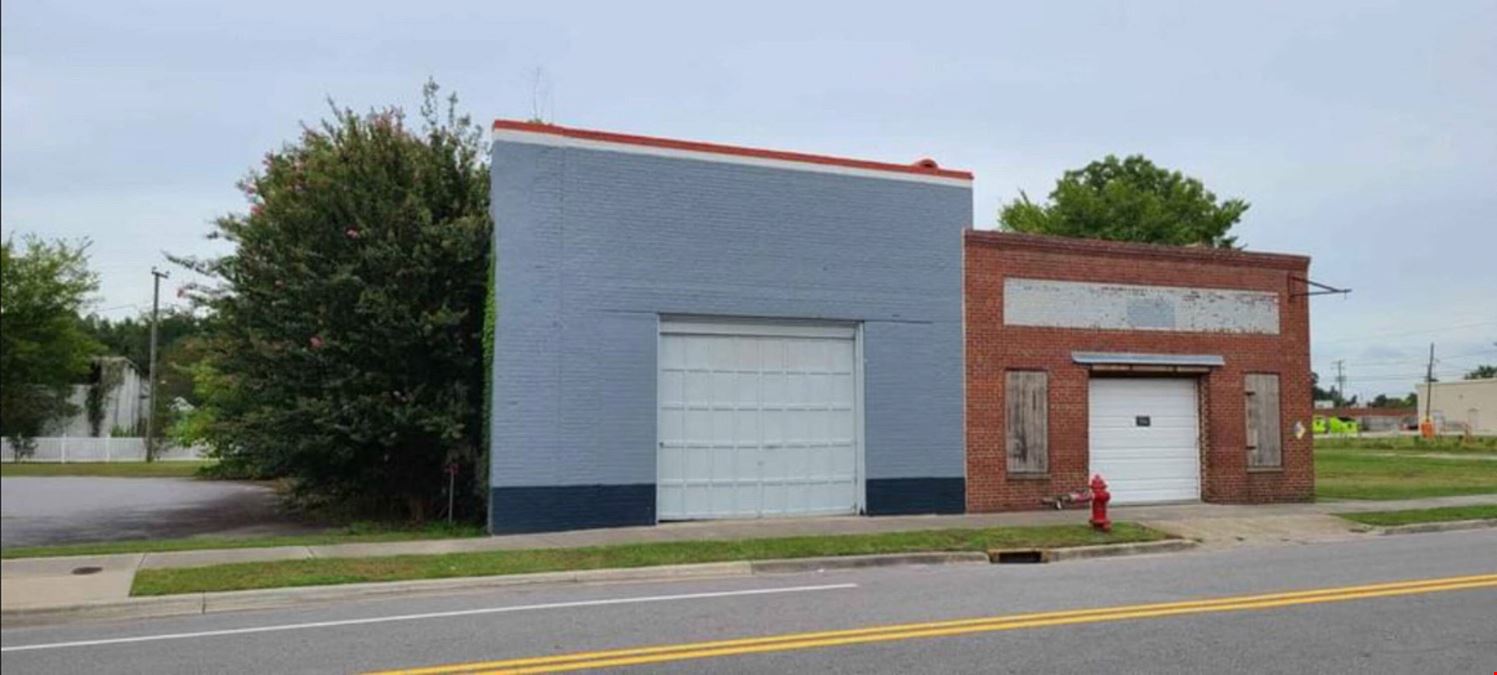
(356, 534)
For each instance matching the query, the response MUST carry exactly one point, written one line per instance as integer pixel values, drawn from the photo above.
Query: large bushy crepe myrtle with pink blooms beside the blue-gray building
(347, 345)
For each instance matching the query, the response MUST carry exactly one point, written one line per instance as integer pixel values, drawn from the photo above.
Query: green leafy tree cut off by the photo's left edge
(44, 348)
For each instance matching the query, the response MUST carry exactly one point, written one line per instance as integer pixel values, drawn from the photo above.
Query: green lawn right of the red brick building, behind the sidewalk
(1388, 471)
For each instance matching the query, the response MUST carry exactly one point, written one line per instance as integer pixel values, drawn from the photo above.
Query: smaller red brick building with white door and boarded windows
(1176, 373)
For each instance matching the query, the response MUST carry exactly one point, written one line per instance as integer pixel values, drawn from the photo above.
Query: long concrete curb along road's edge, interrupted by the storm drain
(191, 604)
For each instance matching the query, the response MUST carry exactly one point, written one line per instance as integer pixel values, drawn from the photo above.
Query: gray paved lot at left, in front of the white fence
(71, 510)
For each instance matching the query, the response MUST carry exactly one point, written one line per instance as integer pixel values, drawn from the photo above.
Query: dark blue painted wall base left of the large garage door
(519, 511)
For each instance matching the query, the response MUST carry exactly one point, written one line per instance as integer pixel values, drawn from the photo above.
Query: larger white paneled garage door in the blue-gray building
(757, 421)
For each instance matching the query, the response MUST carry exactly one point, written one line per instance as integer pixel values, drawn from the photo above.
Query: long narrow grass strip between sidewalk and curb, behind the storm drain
(402, 568)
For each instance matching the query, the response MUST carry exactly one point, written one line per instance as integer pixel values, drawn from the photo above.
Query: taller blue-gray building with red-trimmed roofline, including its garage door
(695, 332)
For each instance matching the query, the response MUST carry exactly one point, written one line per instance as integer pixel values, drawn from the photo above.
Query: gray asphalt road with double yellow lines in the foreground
(1436, 628)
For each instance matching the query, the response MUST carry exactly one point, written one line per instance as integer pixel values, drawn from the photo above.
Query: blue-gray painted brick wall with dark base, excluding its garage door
(595, 246)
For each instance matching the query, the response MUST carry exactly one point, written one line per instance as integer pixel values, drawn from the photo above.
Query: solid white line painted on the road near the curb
(418, 617)
